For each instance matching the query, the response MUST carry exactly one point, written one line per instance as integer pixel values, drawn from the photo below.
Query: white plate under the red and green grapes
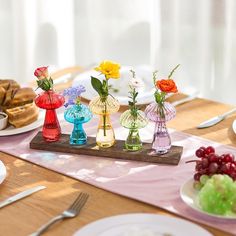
(189, 196)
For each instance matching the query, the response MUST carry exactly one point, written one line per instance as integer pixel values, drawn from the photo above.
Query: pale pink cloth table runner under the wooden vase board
(158, 185)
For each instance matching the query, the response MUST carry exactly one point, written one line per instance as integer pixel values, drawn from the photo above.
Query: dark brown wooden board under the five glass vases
(116, 151)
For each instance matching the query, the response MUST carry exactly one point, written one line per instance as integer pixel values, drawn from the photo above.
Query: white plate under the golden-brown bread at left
(11, 130)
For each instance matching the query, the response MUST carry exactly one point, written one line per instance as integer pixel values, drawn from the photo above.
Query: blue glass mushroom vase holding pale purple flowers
(77, 115)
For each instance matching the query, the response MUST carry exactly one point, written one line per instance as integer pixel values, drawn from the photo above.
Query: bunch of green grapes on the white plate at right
(218, 195)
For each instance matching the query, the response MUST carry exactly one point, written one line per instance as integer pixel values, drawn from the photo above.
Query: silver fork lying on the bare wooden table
(71, 212)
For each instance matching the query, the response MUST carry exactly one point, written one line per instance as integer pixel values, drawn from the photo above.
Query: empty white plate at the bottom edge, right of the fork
(140, 225)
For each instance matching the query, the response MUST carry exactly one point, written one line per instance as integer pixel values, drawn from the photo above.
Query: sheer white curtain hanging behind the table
(200, 35)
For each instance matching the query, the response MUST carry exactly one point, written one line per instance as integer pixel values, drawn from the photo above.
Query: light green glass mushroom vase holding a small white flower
(133, 123)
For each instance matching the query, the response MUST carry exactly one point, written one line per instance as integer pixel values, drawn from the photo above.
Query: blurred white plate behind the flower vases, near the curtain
(143, 72)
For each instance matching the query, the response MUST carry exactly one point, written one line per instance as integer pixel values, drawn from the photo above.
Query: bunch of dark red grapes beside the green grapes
(210, 163)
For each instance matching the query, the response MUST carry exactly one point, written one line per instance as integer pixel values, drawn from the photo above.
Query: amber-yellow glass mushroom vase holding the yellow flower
(105, 137)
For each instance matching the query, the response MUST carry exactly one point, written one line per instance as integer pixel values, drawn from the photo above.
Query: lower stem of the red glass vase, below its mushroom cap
(51, 129)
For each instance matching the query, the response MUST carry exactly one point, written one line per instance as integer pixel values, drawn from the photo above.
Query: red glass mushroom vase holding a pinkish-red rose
(50, 101)
